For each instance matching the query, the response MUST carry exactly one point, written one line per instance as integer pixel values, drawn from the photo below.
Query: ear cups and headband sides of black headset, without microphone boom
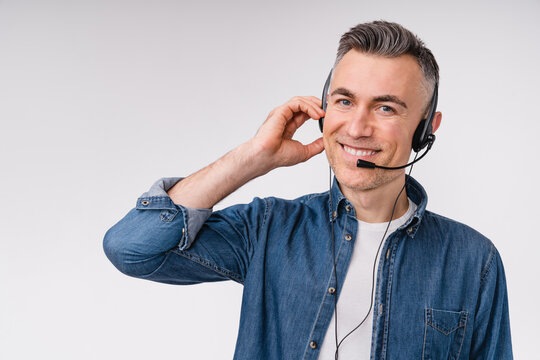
(423, 135)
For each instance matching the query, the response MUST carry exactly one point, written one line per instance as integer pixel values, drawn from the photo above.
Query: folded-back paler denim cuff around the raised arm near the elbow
(194, 218)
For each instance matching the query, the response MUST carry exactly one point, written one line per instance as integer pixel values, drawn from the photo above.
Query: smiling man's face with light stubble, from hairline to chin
(374, 106)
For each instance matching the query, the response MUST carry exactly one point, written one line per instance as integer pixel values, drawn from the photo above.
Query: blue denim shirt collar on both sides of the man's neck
(339, 204)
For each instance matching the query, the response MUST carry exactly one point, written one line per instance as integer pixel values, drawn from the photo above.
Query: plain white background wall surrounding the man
(98, 99)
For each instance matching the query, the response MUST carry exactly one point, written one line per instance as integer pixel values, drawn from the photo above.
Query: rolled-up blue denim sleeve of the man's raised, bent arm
(166, 242)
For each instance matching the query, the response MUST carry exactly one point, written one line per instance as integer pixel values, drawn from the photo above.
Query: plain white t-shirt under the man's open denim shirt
(354, 299)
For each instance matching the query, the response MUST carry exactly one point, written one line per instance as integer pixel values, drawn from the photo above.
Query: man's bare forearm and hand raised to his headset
(270, 148)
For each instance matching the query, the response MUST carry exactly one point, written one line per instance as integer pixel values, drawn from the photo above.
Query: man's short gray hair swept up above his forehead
(389, 39)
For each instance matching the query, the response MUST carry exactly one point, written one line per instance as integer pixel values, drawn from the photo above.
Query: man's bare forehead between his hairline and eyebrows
(373, 75)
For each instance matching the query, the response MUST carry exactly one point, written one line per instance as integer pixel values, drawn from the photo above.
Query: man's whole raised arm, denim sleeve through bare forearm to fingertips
(154, 239)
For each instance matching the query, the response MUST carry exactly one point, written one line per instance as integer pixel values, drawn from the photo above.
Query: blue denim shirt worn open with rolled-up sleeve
(440, 290)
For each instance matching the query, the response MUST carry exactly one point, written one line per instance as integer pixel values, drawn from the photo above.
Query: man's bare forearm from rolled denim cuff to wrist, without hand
(210, 185)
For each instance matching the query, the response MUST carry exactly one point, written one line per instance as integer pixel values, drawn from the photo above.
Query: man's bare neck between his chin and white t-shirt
(375, 205)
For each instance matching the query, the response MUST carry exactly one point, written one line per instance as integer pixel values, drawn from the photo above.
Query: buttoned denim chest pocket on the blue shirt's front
(444, 334)
